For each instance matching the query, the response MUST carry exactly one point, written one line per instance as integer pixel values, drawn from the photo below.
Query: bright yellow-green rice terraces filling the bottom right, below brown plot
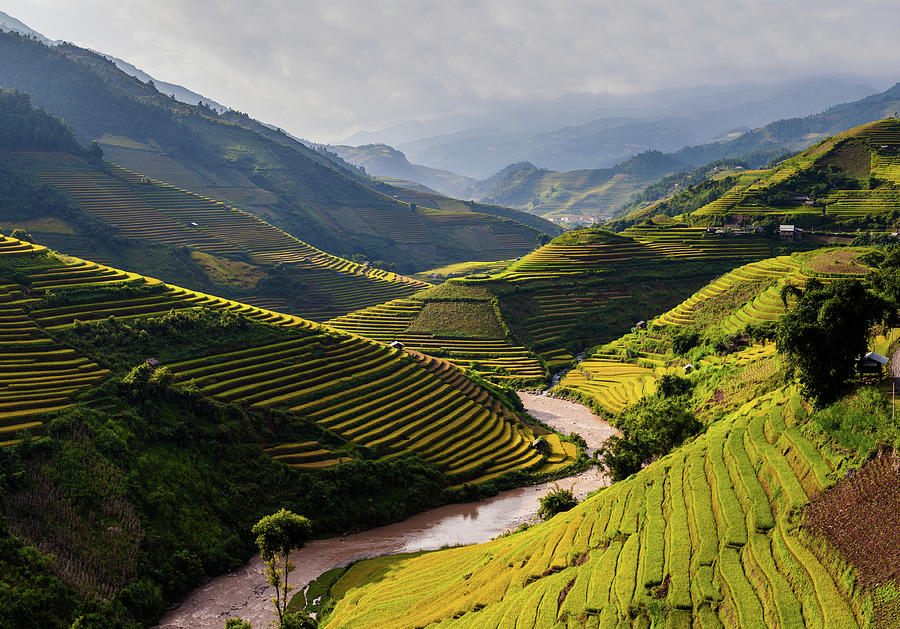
(704, 537)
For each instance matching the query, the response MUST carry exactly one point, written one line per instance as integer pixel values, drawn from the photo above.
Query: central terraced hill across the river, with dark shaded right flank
(582, 288)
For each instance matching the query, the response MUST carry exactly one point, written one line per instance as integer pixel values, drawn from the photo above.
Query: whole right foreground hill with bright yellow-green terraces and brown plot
(757, 521)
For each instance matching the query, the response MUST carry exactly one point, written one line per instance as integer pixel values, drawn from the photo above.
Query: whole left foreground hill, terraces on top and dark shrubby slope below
(161, 466)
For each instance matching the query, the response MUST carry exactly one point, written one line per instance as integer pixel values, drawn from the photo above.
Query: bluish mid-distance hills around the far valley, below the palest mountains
(588, 195)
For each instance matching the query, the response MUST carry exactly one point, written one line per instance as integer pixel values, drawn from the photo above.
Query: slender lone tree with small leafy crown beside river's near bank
(277, 535)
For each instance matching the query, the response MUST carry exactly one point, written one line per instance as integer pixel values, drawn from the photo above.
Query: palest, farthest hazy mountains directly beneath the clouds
(663, 121)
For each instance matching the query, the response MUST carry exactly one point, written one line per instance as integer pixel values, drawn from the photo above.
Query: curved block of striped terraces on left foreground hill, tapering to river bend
(370, 394)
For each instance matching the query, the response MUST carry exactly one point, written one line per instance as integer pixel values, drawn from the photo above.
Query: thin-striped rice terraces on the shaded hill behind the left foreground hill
(142, 208)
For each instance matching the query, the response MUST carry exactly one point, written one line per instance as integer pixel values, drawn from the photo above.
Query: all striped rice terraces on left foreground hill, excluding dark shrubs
(362, 390)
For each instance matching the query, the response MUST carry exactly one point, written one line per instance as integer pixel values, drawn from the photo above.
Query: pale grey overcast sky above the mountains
(324, 69)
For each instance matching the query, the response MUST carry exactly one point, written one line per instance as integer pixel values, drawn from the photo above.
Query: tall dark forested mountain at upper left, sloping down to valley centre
(237, 160)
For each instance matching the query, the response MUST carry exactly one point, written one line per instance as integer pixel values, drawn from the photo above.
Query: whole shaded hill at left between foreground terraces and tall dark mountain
(100, 210)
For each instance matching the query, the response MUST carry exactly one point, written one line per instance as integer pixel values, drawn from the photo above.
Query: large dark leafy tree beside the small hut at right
(825, 332)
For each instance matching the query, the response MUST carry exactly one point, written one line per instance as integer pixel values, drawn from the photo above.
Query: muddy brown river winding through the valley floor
(244, 592)
